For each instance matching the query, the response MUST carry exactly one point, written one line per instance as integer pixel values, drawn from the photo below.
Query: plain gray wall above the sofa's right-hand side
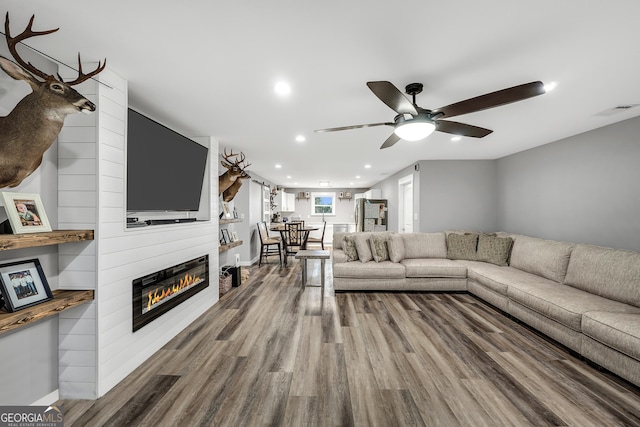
(579, 189)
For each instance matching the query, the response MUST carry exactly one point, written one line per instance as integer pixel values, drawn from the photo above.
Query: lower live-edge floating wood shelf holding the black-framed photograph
(62, 300)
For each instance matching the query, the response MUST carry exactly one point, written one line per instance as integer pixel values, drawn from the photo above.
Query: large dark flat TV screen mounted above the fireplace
(165, 170)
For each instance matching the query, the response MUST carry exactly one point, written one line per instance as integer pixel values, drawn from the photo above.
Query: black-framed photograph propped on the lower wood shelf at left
(23, 284)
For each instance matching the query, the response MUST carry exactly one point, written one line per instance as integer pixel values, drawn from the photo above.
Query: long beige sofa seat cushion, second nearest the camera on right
(561, 303)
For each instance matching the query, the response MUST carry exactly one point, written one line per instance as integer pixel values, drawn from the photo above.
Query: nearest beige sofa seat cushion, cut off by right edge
(620, 331)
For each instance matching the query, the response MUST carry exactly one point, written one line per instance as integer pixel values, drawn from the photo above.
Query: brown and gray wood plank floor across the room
(272, 353)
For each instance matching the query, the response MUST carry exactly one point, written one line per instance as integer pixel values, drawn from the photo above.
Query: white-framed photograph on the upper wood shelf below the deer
(25, 212)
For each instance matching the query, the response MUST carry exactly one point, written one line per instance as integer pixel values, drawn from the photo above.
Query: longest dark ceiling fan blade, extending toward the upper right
(493, 99)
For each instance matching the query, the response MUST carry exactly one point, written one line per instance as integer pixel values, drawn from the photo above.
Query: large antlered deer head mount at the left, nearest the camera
(35, 122)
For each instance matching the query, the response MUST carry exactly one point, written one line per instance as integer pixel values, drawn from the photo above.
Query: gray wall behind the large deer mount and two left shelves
(33, 347)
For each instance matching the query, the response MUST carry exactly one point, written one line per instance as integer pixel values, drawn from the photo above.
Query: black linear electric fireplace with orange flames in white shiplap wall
(159, 292)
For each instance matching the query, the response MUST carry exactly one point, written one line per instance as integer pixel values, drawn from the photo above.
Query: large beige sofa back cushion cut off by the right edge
(610, 273)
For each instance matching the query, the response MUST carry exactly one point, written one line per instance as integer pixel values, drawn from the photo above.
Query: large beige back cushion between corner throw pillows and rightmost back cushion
(546, 258)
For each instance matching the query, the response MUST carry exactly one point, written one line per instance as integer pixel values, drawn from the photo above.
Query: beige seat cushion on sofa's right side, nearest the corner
(495, 277)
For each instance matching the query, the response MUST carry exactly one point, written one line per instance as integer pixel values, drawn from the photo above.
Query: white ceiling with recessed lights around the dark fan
(209, 67)
